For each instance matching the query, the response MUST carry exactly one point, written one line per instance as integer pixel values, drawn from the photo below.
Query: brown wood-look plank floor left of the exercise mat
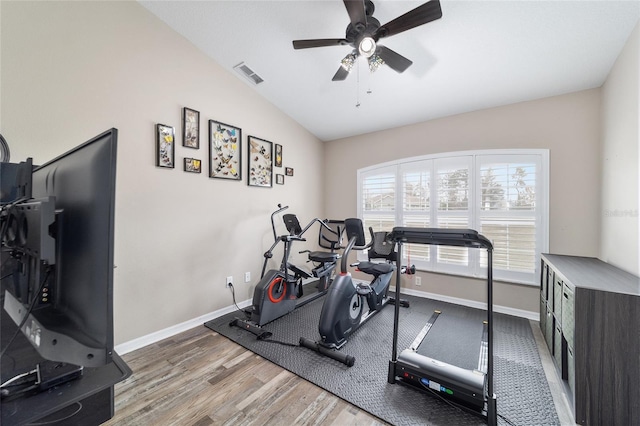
(201, 378)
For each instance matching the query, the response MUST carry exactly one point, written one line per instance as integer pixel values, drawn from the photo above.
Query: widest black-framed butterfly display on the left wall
(225, 151)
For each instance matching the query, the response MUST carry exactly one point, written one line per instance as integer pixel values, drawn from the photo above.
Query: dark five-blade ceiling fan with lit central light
(364, 31)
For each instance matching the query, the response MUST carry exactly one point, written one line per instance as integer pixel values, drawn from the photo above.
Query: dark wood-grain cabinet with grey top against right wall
(590, 317)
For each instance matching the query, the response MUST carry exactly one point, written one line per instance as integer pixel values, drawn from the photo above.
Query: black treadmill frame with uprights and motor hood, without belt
(471, 390)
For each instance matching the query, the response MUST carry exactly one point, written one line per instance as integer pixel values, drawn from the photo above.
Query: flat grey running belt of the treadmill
(455, 338)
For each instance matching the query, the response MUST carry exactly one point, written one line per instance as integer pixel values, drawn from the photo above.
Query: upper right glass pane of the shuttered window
(508, 186)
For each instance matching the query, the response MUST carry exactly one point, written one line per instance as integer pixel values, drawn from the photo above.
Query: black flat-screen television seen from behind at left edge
(58, 268)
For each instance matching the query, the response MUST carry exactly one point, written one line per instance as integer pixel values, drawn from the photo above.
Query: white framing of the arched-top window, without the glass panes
(474, 212)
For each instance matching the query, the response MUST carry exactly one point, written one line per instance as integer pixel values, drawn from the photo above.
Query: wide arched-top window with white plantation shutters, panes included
(502, 194)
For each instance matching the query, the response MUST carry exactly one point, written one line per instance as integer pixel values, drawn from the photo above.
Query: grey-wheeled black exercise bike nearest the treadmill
(348, 305)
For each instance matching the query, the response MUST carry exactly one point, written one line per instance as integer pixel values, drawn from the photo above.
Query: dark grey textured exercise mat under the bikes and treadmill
(520, 384)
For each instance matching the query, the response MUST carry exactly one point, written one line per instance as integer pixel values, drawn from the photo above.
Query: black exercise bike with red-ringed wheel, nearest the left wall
(280, 291)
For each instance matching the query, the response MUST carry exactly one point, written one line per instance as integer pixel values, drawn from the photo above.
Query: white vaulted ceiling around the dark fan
(480, 54)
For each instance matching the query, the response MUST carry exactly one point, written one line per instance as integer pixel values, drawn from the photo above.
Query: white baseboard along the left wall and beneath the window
(149, 339)
